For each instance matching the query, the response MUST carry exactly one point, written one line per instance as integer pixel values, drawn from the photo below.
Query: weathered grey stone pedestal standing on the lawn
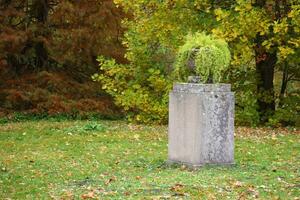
(201, 124)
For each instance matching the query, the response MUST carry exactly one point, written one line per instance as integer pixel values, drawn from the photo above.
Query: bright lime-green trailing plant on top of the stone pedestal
(204, 56)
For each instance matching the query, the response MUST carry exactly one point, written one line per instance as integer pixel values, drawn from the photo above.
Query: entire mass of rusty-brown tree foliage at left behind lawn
(48, 51)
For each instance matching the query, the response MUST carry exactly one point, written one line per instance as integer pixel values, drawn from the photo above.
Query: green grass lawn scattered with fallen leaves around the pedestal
(115, 160)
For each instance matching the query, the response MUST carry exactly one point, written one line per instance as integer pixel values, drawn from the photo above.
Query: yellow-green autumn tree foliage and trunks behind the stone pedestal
(263, 37)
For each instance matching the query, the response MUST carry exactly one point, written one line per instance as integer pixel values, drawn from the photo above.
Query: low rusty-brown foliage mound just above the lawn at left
(53, 94)
